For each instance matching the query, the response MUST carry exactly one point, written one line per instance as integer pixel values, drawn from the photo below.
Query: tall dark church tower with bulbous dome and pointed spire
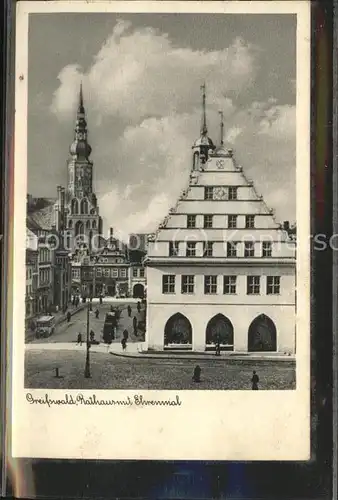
(82, 209)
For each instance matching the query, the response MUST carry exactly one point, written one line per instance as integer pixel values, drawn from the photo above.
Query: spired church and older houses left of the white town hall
(66, 251)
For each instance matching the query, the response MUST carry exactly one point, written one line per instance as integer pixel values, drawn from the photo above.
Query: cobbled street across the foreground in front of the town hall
(114, 372)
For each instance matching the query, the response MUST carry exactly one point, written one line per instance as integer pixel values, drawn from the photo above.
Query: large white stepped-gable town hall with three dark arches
(219, 267)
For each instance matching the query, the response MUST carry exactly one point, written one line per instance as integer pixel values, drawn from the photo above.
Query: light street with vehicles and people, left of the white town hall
(68, 332)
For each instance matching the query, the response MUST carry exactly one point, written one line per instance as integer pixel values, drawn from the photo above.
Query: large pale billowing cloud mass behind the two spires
(142, 92)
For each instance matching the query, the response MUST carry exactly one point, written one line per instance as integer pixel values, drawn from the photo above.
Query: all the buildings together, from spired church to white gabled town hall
(219, 269)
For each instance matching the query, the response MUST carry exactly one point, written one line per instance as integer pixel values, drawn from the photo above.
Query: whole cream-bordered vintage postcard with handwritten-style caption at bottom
(161, 238)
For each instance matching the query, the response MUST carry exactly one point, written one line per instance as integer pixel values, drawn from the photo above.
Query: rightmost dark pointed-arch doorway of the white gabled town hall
(262, 335)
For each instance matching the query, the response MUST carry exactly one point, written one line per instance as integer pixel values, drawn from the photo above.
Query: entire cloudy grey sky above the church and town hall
(141, 76)
